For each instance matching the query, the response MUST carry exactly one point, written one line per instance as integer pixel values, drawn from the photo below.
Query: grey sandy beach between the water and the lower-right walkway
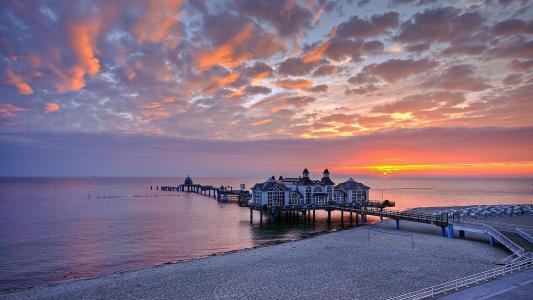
(367, 262)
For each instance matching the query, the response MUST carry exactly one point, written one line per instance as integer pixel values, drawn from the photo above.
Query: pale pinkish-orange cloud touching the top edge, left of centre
(159, 18)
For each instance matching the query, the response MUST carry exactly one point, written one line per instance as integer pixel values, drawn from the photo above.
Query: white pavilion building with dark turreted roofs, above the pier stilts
(303, 191)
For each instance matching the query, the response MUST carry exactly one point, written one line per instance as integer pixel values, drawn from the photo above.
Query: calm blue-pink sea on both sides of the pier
(58, 229)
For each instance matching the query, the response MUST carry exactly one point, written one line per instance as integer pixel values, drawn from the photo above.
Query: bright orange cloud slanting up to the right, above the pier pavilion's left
(225, 54)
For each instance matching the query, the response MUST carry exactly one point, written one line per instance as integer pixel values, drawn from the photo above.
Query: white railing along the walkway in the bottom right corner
(524, 262)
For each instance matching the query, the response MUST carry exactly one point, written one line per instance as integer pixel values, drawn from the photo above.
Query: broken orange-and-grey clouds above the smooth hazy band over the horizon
(263, 70)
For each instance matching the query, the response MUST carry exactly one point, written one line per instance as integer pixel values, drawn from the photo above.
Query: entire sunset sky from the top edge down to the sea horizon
(254, 88)
